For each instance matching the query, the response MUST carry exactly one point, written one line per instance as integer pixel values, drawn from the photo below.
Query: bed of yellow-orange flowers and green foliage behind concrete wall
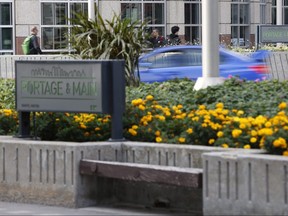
(226, 115)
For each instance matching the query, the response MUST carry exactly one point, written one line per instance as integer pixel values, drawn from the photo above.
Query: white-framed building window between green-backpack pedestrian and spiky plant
(56, 24)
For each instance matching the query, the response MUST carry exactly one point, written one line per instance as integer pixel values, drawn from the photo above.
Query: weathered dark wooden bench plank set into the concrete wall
(188, 177)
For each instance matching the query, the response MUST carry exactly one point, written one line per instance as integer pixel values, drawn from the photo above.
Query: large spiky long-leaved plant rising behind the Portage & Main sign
(110, 39)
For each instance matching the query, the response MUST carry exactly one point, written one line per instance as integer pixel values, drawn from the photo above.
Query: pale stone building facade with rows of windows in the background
(238, 19)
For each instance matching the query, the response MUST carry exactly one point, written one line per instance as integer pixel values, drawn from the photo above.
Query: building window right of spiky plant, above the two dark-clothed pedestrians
(152, 11)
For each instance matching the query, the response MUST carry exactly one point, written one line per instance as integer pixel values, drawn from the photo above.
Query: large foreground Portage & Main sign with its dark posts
(88, 86)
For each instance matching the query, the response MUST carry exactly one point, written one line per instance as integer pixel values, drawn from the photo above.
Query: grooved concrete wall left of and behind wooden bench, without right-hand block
(44, 172)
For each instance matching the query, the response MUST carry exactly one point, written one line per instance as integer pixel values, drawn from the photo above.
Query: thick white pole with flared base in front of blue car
(210, 47)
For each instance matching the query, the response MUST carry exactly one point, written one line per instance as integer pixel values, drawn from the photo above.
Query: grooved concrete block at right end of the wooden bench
(237, 183)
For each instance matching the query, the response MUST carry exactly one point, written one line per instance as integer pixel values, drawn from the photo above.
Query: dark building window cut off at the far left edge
(6, 28)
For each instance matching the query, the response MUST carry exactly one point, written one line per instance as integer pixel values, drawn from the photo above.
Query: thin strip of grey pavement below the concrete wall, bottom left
(9, 208)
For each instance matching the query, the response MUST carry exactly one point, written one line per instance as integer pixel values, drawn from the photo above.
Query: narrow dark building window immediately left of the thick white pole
(193, 21)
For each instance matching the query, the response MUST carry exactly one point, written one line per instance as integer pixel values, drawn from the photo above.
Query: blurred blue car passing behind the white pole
(185, 61)
